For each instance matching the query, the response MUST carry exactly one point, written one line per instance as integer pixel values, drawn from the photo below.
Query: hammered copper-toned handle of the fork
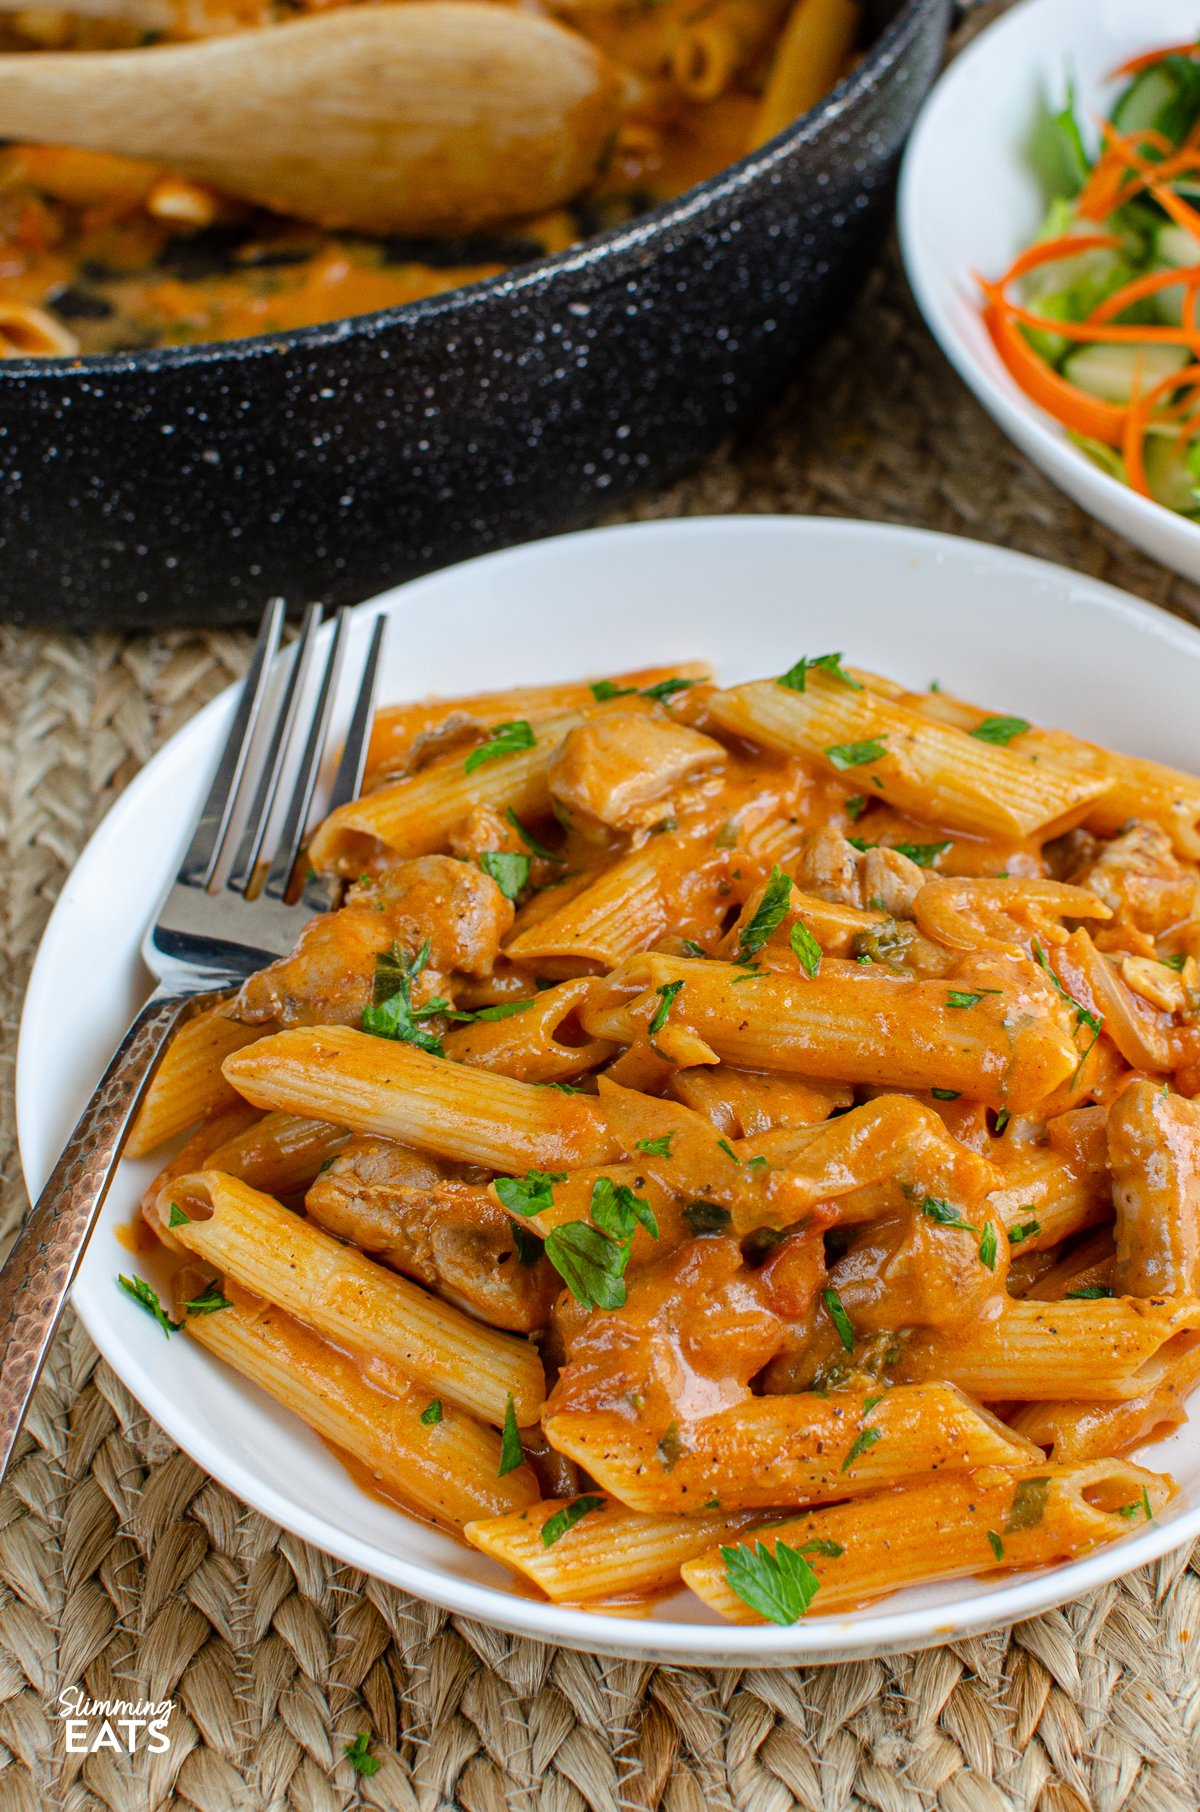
(46, 1255)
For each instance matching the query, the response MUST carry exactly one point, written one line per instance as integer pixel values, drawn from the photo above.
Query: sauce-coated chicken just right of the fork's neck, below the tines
(329, 979)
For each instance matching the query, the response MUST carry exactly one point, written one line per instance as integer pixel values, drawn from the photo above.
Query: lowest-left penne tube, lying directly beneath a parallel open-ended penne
(449, 1470)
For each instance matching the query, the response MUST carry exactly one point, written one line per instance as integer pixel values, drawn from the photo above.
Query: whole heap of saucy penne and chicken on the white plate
(722, 1137)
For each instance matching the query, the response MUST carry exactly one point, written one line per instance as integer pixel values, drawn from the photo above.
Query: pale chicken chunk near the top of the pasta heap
(624, 767)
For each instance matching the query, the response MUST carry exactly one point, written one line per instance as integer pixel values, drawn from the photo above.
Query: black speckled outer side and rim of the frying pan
(189, 485)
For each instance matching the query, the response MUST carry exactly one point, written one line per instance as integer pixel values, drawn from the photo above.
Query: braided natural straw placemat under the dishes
(128, 1574)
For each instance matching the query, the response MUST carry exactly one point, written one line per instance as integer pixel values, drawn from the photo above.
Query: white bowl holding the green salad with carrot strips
(969, 202)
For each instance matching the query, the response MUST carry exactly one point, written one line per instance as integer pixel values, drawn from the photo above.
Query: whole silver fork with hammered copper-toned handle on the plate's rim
(204, 941)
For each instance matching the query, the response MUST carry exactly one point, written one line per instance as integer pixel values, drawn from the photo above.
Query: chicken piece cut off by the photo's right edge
(1154, 1152)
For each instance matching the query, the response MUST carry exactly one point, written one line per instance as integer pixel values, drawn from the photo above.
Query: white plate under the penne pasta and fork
(750, 593)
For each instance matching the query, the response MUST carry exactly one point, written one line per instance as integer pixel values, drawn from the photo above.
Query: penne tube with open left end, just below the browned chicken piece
(353, 1302)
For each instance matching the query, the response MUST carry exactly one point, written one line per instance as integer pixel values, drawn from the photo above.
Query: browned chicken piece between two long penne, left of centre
(447, 1233)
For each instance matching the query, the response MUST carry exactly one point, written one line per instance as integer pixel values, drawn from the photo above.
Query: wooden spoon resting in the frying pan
(443, 117)
